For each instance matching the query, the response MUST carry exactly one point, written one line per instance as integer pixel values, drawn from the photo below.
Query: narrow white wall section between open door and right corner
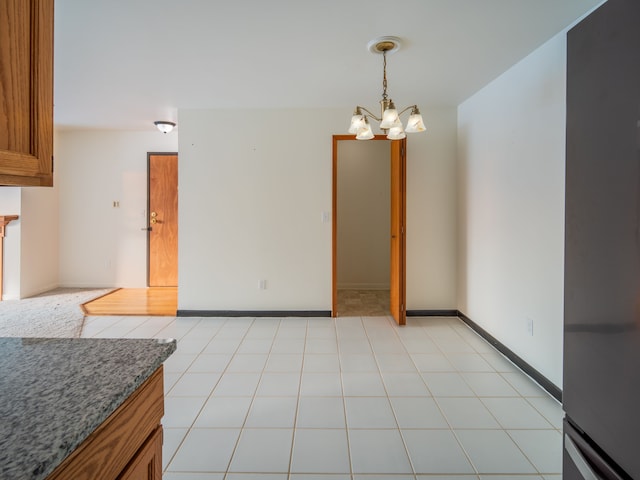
(431, 213)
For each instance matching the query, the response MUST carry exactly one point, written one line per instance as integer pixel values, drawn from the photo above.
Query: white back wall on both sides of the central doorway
(253, 186)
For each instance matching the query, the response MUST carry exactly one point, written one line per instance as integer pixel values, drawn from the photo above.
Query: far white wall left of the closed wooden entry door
(103, 246)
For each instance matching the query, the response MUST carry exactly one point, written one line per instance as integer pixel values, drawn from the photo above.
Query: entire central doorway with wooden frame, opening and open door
(369, 198)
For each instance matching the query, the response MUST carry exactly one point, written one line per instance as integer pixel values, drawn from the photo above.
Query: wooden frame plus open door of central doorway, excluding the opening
(398, 233)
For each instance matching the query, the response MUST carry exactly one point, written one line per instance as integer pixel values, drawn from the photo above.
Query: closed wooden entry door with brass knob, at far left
(163, 220)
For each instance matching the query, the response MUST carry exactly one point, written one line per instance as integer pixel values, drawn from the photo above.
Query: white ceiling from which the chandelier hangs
(125, 63)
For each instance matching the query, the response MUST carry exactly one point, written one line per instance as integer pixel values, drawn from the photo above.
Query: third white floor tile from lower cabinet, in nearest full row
(320, 451)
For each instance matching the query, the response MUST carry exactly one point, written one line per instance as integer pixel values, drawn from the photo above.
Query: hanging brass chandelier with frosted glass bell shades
(389, 119)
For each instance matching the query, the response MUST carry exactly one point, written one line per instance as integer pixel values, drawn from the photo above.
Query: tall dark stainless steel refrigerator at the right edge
(601, 391)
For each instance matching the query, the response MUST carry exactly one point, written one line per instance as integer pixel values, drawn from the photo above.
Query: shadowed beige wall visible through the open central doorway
(364, 214)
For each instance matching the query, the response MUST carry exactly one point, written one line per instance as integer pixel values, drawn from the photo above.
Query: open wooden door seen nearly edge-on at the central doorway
(398, 231)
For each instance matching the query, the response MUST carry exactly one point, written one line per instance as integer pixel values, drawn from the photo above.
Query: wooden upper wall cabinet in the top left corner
(26, 92)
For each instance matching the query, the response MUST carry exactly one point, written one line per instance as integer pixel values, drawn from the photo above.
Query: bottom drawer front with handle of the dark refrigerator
(582, 462)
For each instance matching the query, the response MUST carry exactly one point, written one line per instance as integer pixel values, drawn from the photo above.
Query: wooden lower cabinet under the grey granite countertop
(127, 446)
